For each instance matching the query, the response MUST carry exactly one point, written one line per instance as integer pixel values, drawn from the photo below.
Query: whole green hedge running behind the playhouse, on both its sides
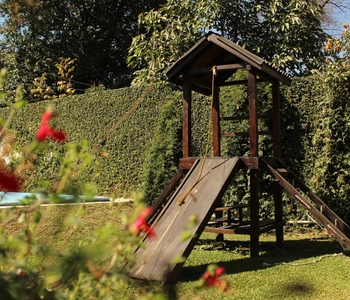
(143, 151)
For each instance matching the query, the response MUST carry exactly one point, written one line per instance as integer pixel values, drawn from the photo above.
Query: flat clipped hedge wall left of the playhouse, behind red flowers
(89, 117)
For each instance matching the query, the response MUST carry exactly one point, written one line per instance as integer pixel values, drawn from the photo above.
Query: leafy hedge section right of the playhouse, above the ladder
(316, 137)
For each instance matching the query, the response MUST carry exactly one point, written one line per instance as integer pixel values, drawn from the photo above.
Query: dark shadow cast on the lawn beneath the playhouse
(270, 255)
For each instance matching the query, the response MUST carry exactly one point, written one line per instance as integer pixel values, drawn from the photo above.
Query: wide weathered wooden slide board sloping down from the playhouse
(200, 191)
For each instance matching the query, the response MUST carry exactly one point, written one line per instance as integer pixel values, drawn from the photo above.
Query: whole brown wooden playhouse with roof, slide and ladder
(198, 186)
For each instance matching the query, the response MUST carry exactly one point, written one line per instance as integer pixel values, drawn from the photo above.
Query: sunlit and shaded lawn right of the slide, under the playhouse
(249, 278)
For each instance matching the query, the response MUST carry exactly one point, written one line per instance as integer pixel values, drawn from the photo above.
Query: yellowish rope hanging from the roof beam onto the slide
(209, 134)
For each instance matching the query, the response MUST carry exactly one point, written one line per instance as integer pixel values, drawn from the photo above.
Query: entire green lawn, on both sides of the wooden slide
(304, 268)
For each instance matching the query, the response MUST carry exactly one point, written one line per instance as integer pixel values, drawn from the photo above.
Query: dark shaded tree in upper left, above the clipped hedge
(96, 34)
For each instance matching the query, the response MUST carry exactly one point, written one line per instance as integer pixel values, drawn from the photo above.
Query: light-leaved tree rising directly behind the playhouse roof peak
(287, 33)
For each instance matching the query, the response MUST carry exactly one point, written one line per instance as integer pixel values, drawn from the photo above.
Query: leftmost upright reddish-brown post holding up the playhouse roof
(186, 120)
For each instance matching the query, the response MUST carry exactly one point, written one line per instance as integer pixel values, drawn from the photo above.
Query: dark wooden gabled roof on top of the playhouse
(215, 50)
